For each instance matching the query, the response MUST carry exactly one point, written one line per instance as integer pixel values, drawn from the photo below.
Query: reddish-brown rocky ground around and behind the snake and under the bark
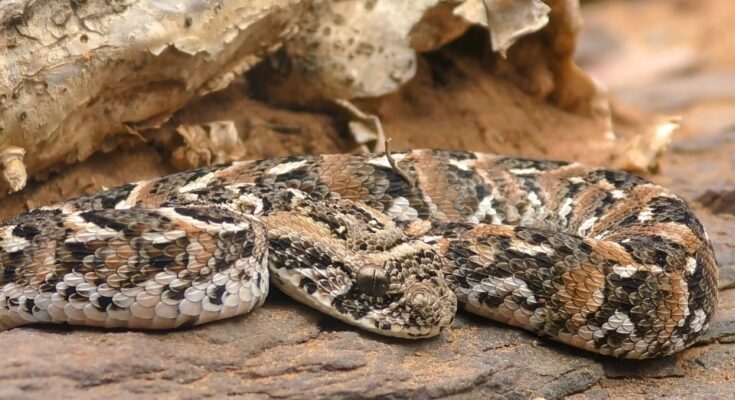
(662, 56)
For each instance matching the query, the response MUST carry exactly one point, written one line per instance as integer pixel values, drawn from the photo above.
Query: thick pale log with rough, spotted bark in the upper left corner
(73, 74)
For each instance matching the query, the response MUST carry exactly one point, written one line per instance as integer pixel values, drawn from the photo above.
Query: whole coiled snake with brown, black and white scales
(393, 243)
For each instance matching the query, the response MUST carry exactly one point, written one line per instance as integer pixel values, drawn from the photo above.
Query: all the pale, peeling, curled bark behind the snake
(79, 77)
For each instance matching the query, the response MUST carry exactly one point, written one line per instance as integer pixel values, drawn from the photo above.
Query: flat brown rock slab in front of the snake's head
(286, 350)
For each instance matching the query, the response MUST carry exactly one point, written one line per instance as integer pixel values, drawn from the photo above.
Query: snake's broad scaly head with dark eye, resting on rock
(366, 274)
